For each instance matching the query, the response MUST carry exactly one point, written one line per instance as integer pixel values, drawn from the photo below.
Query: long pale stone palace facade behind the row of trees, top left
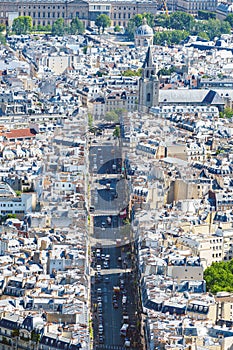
(45, 12)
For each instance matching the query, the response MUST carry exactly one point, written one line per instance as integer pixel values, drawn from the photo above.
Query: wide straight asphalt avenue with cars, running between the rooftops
(112, 279)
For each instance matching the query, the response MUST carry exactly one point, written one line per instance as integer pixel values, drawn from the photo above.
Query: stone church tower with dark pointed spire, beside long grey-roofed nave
(148, 85)
